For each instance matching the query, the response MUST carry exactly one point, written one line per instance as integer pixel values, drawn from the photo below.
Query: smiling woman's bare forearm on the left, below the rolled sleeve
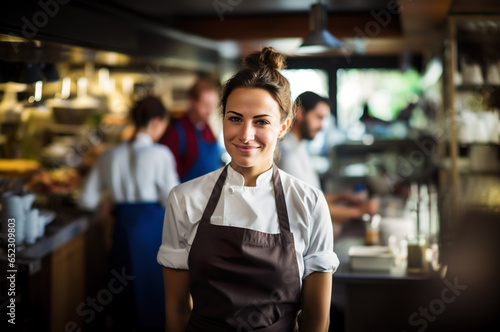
(178, 303)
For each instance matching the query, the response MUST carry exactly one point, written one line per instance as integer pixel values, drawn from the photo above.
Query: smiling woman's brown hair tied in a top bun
(261, 71)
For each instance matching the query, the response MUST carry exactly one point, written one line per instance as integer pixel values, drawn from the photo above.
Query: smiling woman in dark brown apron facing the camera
(247, 247)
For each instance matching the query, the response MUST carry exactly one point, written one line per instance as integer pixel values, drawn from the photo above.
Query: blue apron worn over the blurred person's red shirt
(209, 153)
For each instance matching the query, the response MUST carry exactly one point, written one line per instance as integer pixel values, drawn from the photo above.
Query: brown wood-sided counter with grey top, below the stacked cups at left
(51, 277)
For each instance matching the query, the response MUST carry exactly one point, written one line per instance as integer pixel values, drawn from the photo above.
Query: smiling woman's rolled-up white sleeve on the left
(174, 250)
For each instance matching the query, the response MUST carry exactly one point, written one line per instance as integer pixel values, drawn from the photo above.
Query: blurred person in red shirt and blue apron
(190, 138)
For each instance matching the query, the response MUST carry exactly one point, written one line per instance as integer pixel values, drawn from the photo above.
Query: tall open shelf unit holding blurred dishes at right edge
(471, 155)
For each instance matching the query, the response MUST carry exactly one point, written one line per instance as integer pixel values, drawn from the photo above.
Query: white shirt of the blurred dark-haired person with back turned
(155, 172)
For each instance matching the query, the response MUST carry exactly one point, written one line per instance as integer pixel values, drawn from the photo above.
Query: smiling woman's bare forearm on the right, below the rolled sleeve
(316, 300)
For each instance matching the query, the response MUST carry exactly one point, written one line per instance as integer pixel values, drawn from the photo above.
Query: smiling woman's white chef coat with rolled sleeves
(251, 208)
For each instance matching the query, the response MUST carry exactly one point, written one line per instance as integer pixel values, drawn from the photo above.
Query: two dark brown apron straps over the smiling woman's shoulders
(278, 195)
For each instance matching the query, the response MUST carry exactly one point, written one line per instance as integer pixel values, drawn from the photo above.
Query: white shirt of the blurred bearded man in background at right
(296, 161)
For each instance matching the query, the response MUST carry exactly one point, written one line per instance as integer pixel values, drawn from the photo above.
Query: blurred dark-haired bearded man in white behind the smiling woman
(312, 109)
